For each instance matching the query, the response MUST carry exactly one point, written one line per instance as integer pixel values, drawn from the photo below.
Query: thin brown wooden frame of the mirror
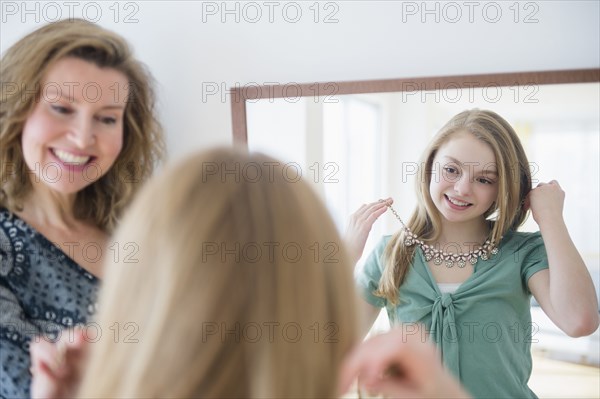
(239, 95)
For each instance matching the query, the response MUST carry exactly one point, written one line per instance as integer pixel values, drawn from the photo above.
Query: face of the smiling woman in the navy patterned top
(75, 131)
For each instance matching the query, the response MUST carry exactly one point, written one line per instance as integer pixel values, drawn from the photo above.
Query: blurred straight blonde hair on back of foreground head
(236, 285)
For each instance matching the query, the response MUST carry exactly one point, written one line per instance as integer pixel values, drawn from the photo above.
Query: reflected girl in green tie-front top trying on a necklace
(462, 271)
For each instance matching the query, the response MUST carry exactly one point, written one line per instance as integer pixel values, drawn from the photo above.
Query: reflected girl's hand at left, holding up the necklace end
(360, 225)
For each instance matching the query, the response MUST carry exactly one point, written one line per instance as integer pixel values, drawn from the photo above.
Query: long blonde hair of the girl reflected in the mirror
(514, 183)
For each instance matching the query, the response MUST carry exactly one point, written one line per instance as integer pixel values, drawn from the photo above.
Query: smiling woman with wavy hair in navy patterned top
(77, 139)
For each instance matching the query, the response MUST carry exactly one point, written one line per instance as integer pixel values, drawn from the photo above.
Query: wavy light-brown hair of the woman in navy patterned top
(23, 69)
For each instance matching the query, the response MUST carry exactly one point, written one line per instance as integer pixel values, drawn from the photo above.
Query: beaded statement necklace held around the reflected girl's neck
(488, 248)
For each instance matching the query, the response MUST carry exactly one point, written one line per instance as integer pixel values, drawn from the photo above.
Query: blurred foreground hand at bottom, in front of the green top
(399, 365)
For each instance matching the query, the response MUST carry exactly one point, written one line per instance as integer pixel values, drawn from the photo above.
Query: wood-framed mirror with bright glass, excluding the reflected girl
(360, 141)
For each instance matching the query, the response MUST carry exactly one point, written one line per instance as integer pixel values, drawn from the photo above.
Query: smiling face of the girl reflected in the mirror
(464, 180)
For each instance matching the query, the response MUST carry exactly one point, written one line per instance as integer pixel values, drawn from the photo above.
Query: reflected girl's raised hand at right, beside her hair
(546, 202)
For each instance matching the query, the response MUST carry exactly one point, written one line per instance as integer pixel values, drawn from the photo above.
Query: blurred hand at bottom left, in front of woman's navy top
(56, 368)
